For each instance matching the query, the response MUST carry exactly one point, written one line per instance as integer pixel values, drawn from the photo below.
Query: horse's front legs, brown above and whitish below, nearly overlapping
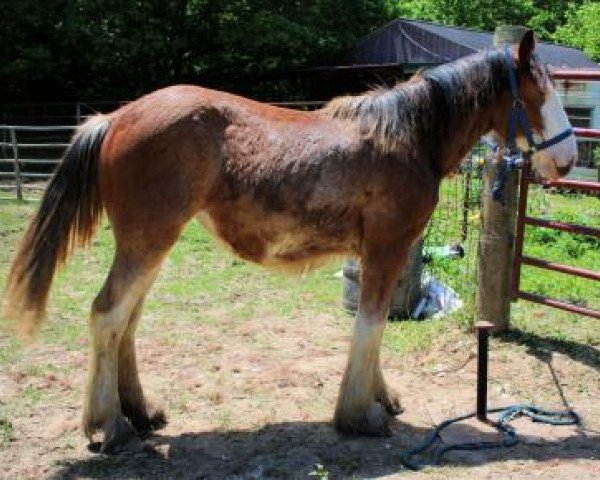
(365, 404)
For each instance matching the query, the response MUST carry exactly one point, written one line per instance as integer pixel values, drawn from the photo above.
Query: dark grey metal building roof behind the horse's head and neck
(405, 41)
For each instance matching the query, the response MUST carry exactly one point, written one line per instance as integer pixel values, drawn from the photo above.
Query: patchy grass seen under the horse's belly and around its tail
(199, 276)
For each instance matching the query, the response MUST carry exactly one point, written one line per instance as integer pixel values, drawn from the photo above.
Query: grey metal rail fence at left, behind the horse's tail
(21, 154)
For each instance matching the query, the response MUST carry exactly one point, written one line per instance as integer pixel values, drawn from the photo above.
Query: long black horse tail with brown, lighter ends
(67, 217)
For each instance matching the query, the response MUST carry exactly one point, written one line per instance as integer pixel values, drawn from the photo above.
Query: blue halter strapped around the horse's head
(518, 115)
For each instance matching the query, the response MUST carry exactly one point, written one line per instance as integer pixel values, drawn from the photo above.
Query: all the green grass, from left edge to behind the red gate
(201, 281)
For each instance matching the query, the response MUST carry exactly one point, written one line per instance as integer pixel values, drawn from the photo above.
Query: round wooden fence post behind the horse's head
(498, 224)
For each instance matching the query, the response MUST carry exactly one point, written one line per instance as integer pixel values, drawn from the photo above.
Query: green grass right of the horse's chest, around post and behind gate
(536, 324)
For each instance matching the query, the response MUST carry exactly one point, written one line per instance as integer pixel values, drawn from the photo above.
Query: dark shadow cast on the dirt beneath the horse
(291, 450)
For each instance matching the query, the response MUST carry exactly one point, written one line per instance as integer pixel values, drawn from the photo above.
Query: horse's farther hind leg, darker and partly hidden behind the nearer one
(134, 405)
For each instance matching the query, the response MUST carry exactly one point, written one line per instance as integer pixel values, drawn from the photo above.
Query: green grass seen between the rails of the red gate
(575, 335)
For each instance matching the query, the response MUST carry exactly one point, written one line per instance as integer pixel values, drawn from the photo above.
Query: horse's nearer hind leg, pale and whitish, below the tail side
(130, 277)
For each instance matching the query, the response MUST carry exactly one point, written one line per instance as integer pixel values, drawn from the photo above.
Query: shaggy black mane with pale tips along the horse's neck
(428, 104)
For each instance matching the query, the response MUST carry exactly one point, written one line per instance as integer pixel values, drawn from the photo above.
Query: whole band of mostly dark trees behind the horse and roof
(113, 50)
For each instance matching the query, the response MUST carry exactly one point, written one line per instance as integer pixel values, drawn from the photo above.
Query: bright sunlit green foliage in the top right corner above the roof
(582, 28)
